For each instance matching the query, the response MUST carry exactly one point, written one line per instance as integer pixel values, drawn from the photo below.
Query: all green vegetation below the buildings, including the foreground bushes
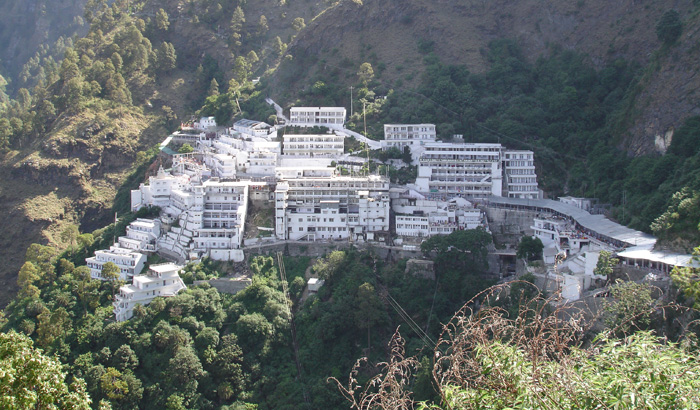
(205, 350)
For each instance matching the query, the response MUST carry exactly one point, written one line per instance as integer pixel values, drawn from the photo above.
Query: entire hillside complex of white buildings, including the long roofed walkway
(204, 201)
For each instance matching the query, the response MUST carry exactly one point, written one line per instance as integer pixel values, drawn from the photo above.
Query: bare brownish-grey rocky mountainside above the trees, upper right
(393, 31)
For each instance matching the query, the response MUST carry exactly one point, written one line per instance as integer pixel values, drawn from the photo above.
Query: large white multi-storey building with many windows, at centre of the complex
(321, 208)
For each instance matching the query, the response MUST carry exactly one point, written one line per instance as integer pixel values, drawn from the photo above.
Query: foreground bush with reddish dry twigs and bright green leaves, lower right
(485, 359)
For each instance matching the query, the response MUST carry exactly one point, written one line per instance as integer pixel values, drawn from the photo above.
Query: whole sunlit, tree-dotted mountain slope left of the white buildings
(69, 144)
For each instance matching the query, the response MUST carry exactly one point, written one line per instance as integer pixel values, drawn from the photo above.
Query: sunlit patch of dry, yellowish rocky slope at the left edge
(69, 178)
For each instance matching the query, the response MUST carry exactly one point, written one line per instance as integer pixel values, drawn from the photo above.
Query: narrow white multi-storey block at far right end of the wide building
(520, 177)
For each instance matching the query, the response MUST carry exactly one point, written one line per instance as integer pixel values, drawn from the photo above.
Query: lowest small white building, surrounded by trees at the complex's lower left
(160, 281)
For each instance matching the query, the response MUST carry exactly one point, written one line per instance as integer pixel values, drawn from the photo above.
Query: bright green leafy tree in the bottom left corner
(31, 380)
